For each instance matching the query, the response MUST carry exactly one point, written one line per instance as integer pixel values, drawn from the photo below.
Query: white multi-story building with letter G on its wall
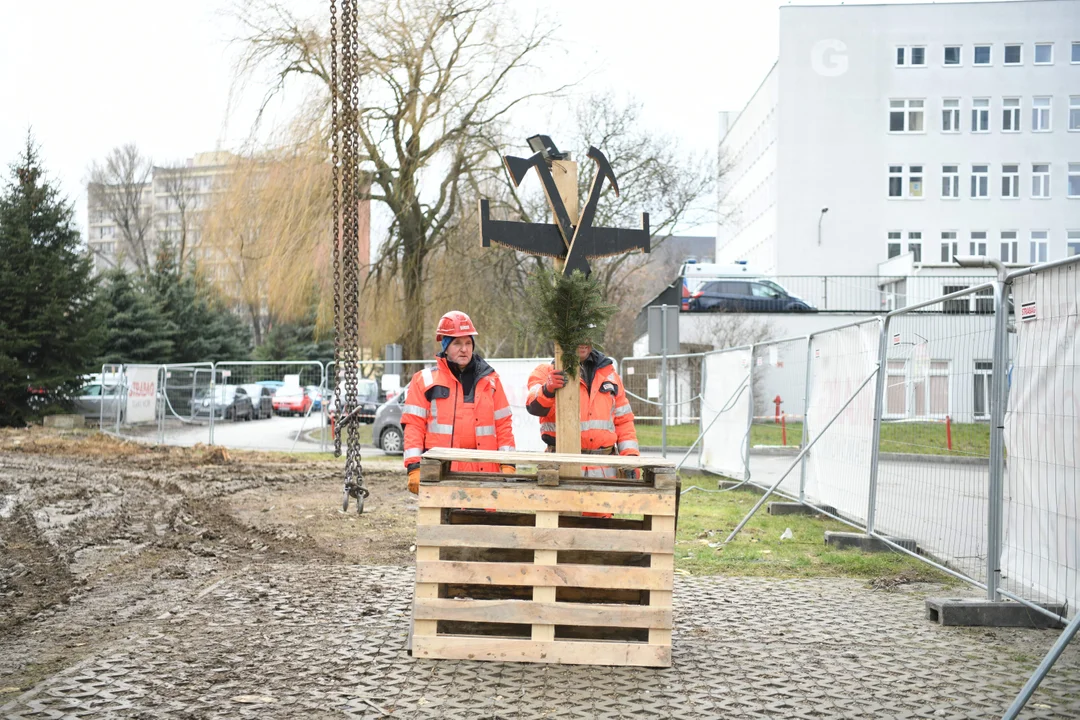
(906, 134)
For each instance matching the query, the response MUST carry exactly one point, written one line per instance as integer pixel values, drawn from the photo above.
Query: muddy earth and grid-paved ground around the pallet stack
(148, 582)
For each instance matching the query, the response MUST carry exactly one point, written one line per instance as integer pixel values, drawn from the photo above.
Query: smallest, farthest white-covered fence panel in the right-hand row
(726, 403)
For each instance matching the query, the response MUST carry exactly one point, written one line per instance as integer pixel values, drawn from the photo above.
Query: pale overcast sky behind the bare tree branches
(89, 76)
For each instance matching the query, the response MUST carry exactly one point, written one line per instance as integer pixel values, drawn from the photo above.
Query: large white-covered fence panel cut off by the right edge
(1042, 547)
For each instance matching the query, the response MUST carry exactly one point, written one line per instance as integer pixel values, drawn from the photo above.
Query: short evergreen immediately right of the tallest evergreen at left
(138, 330)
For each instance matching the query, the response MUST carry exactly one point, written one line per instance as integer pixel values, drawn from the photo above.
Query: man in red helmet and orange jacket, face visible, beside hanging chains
(460, 404)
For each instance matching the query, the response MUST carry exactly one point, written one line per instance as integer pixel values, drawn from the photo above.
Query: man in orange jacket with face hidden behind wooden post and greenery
(607, 422)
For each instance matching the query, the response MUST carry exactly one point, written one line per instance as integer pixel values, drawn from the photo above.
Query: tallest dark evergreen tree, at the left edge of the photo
(50, 320)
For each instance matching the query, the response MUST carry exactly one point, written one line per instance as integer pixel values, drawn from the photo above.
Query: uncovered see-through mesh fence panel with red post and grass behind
(933, 482)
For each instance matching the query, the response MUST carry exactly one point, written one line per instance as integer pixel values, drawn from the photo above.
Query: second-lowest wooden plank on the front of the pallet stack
(552, 614)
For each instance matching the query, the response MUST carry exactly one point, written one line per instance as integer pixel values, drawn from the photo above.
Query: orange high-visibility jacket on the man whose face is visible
(438, 415)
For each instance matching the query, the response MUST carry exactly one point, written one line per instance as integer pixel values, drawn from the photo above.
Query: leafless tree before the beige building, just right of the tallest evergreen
(121, 188)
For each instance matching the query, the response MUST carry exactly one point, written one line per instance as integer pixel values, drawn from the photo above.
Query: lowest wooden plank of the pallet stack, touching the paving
(568, 653)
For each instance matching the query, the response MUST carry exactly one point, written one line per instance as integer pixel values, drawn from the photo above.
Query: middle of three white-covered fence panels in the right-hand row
(839, 467)
